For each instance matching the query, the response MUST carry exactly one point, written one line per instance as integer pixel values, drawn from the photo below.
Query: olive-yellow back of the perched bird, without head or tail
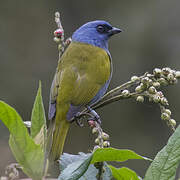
(86, 68)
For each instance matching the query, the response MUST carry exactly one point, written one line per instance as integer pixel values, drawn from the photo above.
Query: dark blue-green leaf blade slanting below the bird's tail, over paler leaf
(76, 169)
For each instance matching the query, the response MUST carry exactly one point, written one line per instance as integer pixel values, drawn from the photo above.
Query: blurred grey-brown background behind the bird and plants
(151, 38)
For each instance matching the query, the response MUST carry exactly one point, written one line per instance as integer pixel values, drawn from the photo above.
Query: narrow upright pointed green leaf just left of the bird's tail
(38, 119)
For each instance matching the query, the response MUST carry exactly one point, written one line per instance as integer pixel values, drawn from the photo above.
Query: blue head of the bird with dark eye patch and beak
(95, 33)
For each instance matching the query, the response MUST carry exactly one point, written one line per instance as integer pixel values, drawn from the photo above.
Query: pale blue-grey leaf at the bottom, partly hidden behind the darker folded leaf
(91, 172)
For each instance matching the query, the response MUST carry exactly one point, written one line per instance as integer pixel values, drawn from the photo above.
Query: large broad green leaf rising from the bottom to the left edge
(28, 154)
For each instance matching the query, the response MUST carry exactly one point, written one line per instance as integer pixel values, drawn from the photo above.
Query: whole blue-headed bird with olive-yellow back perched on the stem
(82, 77)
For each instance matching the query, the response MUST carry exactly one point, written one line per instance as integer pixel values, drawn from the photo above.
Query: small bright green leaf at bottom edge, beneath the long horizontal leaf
(123, 173)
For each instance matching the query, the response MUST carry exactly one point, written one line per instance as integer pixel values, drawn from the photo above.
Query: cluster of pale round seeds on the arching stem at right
(149, 87)
